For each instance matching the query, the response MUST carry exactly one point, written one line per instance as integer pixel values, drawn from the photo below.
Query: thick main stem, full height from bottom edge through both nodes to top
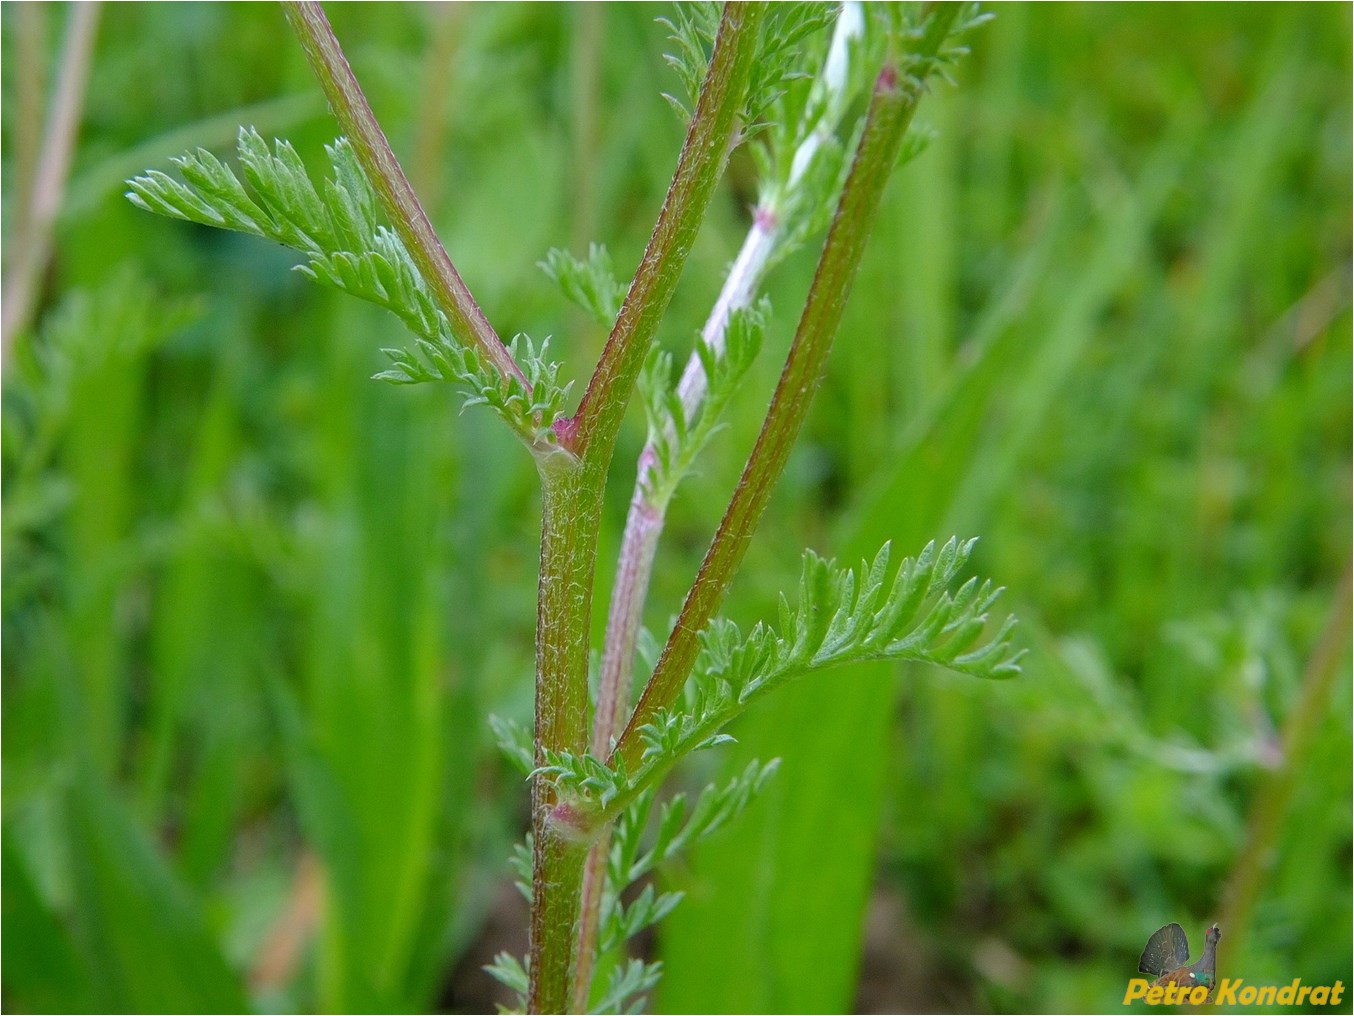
(572, 498)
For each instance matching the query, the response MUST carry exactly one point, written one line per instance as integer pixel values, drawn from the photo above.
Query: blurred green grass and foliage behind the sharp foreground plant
(258, 608)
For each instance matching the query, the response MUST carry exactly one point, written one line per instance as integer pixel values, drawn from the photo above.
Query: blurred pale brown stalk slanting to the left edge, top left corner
(49, 178)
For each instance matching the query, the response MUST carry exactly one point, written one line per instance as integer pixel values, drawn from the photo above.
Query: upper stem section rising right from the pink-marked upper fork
(656, 280)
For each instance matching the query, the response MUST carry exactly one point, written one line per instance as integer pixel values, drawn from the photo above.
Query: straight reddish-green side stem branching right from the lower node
(886, 124)
